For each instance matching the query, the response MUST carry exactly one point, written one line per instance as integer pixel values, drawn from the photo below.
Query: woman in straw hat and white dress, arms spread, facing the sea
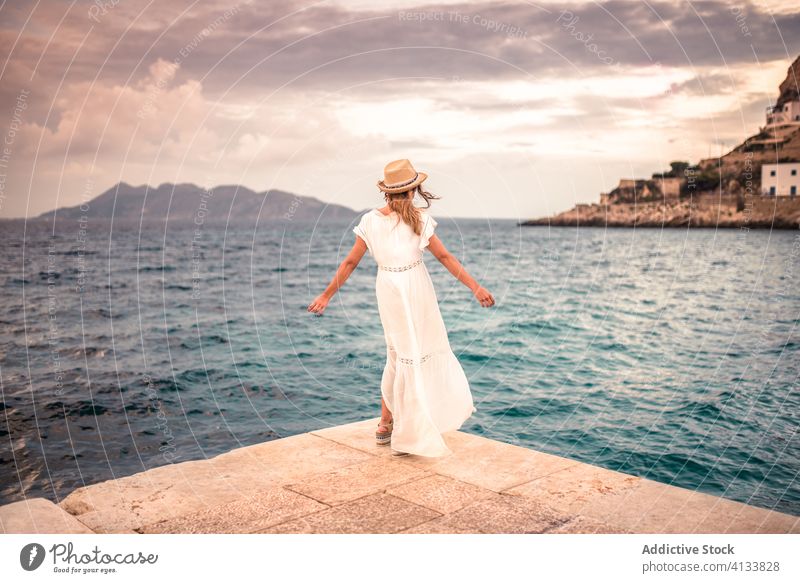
(424, 389)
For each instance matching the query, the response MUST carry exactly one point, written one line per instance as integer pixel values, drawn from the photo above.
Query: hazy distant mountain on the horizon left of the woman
(187, 202)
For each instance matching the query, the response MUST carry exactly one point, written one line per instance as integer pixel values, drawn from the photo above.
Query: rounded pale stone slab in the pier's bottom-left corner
(38, 516)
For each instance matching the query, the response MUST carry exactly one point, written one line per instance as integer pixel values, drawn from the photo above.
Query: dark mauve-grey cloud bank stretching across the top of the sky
(266, 44)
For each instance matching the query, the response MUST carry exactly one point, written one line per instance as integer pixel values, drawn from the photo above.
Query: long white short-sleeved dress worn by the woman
(423, 383)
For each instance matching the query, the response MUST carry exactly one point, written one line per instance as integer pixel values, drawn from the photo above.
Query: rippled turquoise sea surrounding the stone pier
(669, 354)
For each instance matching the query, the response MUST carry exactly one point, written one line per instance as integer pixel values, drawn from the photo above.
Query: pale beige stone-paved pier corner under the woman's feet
(337, 480)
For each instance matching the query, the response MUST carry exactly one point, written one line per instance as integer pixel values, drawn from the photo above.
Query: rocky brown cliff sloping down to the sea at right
(716, 192)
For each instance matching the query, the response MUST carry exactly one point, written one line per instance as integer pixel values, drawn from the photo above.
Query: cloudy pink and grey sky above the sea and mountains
(513, 109)
